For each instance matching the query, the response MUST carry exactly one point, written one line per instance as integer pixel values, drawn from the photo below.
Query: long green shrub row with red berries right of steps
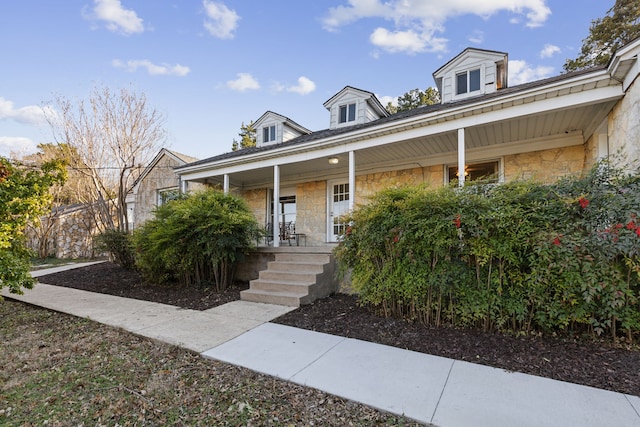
(520, 256)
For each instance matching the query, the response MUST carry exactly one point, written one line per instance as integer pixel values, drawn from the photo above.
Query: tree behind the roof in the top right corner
(620, 26)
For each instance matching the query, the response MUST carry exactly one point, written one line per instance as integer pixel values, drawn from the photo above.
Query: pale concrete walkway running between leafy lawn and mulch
(426, 388)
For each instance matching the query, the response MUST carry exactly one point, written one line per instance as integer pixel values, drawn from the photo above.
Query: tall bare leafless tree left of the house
(108, 139)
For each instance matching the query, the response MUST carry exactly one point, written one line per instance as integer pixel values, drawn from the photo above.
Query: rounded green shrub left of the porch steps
(197, 239)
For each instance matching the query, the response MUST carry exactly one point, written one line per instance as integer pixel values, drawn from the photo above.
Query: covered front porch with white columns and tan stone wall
(540, 132)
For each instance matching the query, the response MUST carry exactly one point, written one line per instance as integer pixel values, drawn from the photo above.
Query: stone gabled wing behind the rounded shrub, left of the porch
(156, 184)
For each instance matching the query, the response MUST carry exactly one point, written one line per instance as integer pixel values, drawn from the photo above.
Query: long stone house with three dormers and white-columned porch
(543, 130)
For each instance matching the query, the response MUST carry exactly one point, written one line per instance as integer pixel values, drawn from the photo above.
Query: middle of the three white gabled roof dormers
(353, 106)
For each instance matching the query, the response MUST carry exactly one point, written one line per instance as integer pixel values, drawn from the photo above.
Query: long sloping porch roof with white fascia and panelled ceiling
(566, 108)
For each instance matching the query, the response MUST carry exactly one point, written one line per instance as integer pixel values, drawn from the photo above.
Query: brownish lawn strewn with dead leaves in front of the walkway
(58, 370)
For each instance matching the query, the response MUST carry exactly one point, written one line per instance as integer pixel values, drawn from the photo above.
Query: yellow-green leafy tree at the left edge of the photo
(24, 196)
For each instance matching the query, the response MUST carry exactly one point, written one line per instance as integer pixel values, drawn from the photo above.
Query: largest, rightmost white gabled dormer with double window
(473, 72)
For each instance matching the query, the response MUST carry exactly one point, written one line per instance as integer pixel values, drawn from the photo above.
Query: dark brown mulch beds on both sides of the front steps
(596, 364)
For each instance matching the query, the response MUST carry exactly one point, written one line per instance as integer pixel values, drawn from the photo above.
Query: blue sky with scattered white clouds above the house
(211, 65)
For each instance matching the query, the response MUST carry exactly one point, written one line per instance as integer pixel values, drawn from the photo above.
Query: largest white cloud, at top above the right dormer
(416, 23)
